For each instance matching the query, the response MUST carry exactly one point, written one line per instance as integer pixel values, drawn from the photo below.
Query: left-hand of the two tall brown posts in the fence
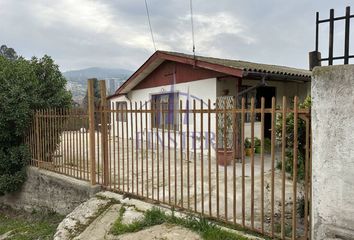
(91, 114)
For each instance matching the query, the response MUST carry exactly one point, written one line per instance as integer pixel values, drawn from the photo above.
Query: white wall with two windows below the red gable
(193, 91)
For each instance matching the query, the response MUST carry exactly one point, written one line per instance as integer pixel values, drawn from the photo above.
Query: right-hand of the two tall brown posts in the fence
(104, 145)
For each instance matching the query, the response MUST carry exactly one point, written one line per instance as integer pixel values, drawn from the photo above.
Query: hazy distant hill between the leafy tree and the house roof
(77, 79)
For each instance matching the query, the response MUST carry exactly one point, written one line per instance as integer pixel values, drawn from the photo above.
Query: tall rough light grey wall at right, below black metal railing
(333, 152)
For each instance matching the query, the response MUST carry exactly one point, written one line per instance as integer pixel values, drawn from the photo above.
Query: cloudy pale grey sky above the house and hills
(115, 34)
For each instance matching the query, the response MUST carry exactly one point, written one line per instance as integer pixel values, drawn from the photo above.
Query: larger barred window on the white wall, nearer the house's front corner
(165, 114)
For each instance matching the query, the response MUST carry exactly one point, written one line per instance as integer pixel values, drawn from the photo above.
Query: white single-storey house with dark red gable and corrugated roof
(168, 78)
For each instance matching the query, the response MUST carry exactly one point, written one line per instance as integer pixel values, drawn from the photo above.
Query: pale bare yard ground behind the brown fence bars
(197, 184)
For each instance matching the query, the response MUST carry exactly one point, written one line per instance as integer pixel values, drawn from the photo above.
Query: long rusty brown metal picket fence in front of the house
(193, 156)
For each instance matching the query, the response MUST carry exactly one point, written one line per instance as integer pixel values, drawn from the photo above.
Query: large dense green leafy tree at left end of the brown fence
(25, 85)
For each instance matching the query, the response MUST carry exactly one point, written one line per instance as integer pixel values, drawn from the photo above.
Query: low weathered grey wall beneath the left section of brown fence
(50, 191)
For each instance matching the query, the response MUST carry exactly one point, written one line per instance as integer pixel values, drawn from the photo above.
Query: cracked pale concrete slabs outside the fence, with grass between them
(94, 219)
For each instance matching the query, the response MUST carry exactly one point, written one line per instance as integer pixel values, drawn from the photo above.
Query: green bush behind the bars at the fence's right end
(289, 141)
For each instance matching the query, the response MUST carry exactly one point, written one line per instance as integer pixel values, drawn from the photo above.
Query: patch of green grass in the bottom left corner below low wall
(27, 226)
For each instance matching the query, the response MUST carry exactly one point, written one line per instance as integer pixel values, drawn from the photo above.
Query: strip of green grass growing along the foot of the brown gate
(155, 216)
